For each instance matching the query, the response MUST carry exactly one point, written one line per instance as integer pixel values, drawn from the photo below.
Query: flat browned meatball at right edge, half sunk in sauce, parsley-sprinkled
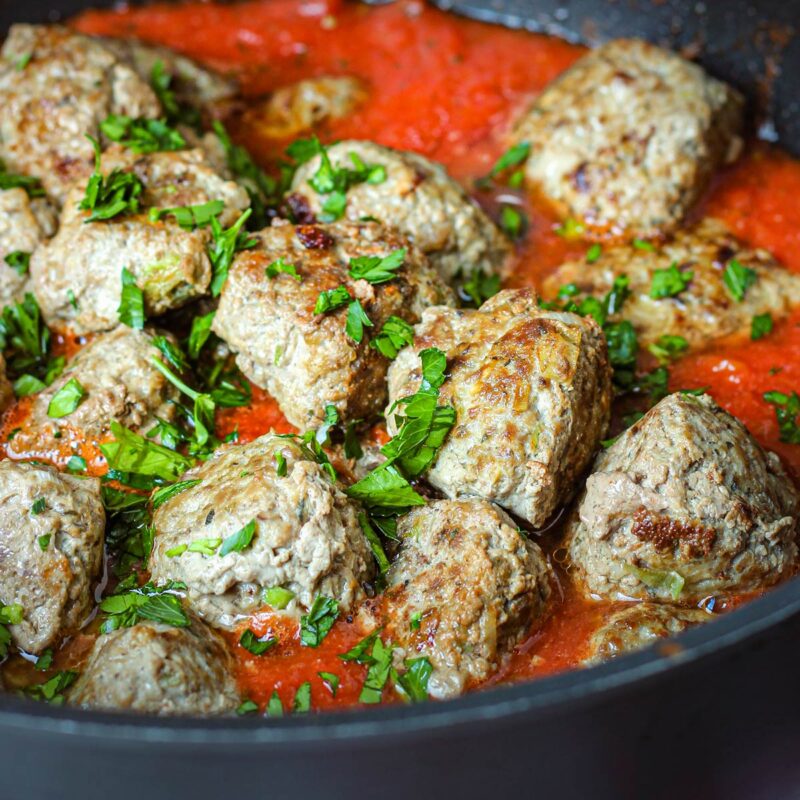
(705, 309)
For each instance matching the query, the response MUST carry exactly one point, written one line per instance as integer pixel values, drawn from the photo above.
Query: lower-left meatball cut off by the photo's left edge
(51, 526)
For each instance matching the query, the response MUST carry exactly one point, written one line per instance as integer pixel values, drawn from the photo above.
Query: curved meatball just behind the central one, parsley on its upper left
(418, 198)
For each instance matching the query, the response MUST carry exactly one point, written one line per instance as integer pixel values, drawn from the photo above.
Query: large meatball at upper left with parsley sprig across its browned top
(170, 264)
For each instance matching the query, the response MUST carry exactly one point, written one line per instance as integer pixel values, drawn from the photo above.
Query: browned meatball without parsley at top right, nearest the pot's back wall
(628, 138)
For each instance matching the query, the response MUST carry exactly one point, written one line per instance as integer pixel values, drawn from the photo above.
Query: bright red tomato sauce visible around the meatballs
(450, 88)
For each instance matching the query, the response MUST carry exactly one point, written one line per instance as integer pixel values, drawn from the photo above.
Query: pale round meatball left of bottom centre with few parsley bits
(307, 538)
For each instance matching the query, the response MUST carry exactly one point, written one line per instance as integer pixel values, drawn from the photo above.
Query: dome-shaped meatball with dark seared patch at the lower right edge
(684, 505)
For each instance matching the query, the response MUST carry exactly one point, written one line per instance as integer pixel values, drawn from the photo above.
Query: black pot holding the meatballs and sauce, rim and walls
(715, 717)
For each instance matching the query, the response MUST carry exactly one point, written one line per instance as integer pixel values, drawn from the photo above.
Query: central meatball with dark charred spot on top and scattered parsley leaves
(307, 360)
